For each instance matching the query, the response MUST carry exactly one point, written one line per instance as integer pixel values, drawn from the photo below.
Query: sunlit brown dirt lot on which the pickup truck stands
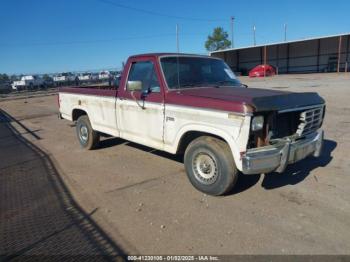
(146, 204)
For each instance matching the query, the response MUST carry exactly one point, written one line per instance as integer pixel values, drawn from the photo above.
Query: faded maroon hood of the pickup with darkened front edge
(259, 99)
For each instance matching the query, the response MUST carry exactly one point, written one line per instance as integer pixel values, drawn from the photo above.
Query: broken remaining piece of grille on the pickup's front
(310, 121)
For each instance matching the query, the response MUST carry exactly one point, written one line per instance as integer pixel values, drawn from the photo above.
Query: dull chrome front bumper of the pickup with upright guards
(276, 157)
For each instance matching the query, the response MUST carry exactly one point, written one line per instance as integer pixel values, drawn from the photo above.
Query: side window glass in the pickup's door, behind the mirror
(144, 71)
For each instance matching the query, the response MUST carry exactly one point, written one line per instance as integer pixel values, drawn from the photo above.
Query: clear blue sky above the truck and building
(49, 36)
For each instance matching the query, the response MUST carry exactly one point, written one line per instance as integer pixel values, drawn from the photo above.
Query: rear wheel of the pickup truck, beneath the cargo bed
(88, 138)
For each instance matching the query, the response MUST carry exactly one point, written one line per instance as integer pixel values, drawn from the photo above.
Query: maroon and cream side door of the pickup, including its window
(140, 117)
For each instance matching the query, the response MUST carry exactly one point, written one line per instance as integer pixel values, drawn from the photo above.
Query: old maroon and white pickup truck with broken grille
(195, 105)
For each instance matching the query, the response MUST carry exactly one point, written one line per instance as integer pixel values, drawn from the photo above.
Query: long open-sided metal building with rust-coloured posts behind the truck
(324, 54)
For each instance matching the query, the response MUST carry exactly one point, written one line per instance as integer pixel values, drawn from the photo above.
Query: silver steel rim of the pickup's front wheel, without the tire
(205, 168)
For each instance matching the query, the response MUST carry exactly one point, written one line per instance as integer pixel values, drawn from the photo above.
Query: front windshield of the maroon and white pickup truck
(187, 72)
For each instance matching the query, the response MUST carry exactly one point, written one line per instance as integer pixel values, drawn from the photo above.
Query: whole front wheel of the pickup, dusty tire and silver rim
(202, 156)
